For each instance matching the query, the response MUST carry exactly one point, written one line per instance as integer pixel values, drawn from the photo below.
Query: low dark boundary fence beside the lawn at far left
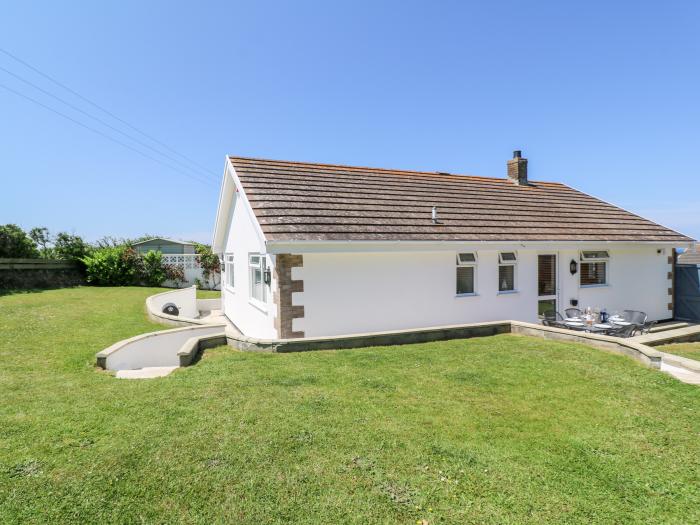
(26, 274)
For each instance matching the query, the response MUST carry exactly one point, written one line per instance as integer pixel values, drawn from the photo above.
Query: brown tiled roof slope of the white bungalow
(309, 202)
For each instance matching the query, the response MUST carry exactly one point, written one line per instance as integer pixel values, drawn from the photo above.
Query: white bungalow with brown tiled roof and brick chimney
(316, 250)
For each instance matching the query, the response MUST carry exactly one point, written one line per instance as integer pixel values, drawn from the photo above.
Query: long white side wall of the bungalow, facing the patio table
(363, 292)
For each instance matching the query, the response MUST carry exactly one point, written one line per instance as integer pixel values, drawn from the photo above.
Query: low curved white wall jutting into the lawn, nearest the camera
(156, 348)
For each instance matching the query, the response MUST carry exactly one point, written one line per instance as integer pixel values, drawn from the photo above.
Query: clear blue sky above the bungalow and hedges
(603, 96)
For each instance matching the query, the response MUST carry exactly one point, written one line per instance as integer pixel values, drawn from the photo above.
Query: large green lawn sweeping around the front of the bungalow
(496, 430)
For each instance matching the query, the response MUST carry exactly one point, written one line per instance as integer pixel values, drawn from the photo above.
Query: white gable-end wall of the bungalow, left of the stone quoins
(252, 318)
